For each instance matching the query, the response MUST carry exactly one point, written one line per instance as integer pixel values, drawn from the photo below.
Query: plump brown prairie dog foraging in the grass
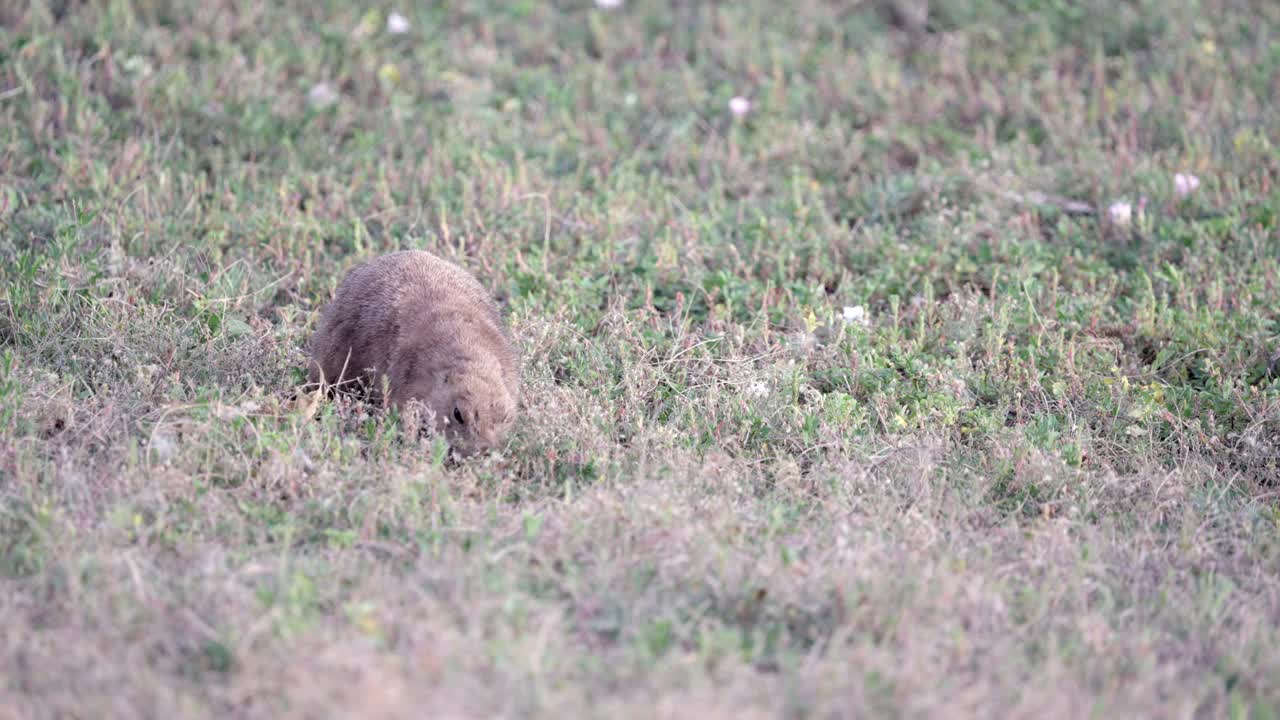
(435, 334)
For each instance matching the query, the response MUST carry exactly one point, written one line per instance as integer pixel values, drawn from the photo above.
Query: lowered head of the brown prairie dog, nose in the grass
(472, 405)
